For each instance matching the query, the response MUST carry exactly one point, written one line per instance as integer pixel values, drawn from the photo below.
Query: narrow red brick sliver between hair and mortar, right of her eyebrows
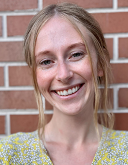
(109, 42)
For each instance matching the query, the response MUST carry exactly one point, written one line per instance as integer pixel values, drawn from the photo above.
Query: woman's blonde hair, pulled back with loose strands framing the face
(74, 14)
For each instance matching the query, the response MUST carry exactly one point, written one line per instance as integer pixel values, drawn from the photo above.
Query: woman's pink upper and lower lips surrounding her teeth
(69, 96)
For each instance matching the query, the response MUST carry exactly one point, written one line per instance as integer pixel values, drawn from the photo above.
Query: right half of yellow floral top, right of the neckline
(113, 148)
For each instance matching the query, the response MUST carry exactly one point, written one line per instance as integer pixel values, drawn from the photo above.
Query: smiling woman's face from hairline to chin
(64, 73)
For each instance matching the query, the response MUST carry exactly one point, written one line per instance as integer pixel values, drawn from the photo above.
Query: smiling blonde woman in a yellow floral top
(66, 51)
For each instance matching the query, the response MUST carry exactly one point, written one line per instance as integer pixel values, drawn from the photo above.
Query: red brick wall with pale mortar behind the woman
(18, 110)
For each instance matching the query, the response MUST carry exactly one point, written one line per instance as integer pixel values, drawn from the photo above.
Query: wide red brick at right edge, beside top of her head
(113, 22)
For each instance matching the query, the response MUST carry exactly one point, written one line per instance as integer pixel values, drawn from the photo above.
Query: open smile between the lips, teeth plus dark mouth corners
(69, 91)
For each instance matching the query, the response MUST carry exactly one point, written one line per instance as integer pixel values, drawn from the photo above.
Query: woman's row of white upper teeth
(69, 92)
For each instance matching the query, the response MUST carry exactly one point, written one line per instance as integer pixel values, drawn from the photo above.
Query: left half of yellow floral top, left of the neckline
(22, 148)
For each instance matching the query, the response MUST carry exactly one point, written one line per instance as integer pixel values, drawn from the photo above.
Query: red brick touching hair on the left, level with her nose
(19, 76)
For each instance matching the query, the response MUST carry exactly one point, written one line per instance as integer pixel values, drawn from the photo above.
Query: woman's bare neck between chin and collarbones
(71, 129)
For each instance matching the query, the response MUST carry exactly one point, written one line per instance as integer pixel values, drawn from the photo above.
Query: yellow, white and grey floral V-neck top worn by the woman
(24, 149)
